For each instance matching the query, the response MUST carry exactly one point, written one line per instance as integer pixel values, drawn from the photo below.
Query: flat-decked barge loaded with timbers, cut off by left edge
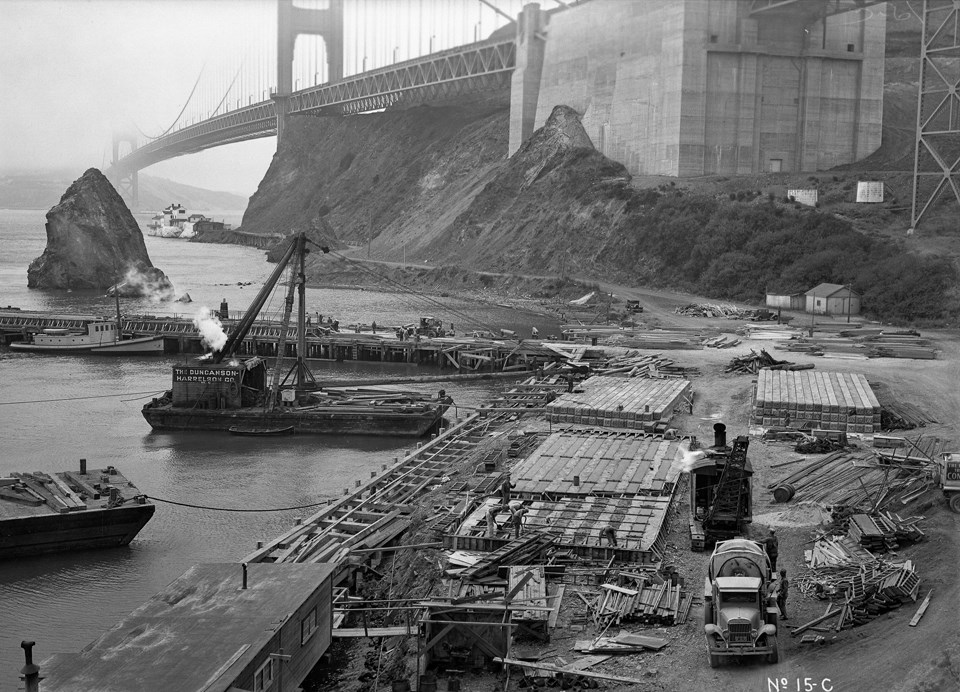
(47, 513)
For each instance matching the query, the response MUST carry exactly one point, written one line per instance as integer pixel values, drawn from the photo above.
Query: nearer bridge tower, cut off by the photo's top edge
(293, 21)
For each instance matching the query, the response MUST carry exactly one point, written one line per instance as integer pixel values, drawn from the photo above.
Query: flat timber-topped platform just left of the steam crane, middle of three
(605, 462)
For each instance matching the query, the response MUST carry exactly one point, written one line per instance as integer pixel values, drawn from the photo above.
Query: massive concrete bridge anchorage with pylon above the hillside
(699, 87)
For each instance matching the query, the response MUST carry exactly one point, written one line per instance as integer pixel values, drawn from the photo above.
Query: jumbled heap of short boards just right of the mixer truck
(865, 592)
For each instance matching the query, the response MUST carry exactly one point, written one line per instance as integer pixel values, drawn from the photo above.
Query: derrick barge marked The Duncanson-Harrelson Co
(232, 394)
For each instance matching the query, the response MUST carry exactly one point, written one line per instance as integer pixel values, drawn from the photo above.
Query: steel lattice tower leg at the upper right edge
(936, 166)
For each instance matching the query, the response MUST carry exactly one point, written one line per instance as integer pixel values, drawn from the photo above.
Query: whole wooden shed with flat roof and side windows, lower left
(214, 630)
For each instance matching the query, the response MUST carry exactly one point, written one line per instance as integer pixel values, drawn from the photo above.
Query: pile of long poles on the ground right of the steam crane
(853, 479)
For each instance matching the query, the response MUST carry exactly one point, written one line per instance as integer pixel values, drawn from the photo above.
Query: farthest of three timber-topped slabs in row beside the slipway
(621, 402)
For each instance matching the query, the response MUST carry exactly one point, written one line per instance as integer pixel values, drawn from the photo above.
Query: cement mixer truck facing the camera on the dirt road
(739, 613)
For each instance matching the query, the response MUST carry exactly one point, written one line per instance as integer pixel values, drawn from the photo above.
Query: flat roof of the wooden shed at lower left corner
(199, 633)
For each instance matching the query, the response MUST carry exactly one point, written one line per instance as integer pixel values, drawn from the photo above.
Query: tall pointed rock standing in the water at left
(93, 242)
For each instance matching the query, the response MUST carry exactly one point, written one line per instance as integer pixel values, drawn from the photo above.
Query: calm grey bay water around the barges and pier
(57, 409)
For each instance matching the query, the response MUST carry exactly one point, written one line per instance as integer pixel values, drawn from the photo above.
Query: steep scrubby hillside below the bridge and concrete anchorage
(434, 185)
